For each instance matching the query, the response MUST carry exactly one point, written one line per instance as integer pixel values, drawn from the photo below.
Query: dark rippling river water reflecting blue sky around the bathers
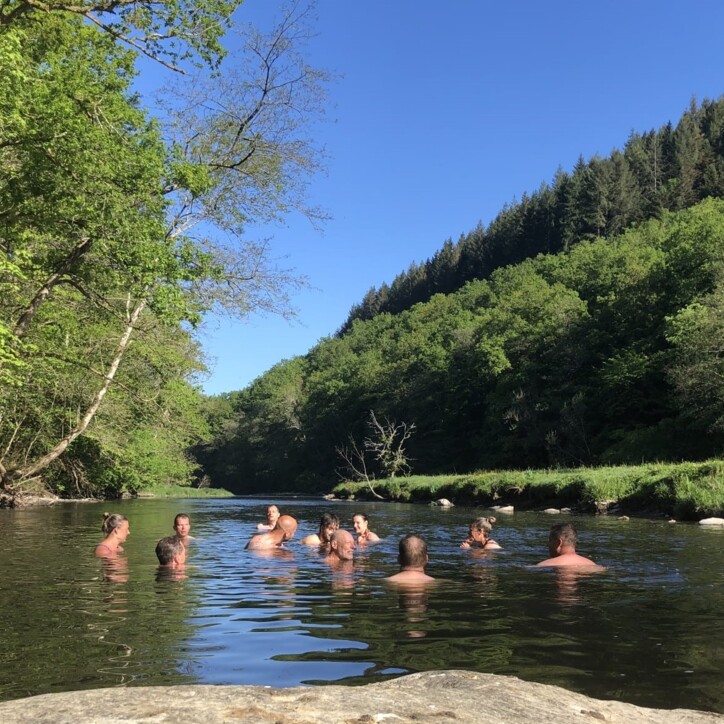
(648, 630)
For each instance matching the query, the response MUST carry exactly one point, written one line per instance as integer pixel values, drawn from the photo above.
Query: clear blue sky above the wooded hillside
(444, 112)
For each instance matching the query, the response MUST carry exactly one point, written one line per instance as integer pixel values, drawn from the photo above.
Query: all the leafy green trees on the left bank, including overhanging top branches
(119, 230)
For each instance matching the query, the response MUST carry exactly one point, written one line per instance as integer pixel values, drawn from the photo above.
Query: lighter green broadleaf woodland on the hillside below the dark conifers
(607, 352)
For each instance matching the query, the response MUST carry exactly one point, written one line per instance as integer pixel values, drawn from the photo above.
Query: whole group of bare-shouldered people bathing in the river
(337, 544)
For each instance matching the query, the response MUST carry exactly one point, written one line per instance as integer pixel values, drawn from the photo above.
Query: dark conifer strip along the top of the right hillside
(671, 168)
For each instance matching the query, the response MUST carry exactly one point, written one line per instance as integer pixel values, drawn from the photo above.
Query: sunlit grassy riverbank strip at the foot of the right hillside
(686, 491)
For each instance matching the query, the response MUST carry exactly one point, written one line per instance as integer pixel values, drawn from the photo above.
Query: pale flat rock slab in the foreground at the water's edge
(442, 697)
